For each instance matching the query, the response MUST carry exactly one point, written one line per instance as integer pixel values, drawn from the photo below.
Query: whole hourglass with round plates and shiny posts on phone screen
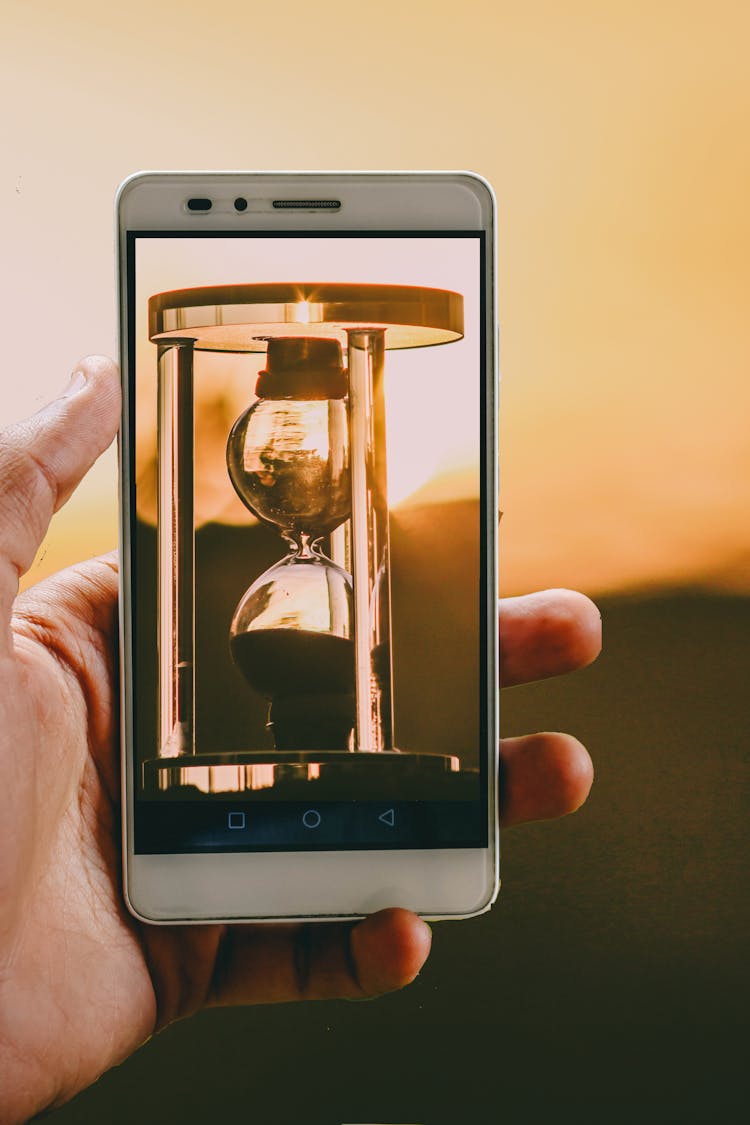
(312, 635)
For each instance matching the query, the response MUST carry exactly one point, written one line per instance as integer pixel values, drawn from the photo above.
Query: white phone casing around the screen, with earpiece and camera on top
(318, 886)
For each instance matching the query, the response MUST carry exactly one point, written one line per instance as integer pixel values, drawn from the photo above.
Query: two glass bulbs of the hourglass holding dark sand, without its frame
(288, 461)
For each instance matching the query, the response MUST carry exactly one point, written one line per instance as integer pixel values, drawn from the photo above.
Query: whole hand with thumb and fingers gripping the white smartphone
(83, 984)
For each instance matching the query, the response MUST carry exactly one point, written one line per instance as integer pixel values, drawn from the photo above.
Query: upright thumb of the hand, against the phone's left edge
(43, 460)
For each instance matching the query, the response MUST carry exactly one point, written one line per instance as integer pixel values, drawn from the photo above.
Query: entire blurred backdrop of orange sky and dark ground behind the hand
(608, 985)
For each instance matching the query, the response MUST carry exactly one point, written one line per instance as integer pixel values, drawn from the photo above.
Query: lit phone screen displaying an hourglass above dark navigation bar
(310, 575)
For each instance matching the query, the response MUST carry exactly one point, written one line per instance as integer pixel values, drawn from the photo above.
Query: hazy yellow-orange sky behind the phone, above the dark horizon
(616, 137)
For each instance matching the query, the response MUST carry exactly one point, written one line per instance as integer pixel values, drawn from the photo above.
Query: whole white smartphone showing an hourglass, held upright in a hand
(309, 502)
